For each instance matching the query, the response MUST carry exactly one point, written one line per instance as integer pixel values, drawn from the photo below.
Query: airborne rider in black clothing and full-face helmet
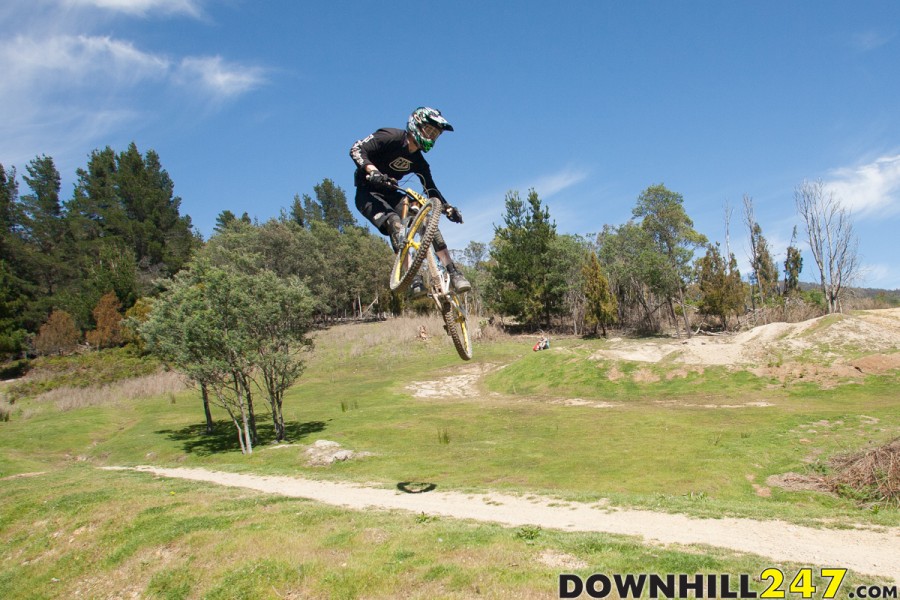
(389, 155)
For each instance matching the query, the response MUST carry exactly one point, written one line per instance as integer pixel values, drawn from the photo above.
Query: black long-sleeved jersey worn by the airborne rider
(388, 150)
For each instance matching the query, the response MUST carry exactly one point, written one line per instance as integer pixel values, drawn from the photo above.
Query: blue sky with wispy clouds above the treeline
(589, 103)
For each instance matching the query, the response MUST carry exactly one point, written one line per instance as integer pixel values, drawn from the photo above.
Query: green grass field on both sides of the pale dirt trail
(70, 529)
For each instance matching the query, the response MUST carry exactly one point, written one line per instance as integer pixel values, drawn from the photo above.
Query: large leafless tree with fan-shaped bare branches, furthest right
(833, 243)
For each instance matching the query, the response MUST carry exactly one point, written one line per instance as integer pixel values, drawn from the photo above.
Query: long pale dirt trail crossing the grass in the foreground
(866, 551)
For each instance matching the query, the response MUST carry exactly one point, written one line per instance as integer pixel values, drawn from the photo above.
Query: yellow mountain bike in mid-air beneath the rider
(420, 217)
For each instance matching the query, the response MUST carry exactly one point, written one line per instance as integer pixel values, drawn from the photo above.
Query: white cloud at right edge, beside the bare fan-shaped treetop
(871, 189)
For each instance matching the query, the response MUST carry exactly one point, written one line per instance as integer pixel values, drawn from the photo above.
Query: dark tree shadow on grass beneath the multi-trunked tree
(195, 439)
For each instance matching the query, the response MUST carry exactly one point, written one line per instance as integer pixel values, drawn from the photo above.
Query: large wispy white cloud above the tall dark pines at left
(67, 92)
